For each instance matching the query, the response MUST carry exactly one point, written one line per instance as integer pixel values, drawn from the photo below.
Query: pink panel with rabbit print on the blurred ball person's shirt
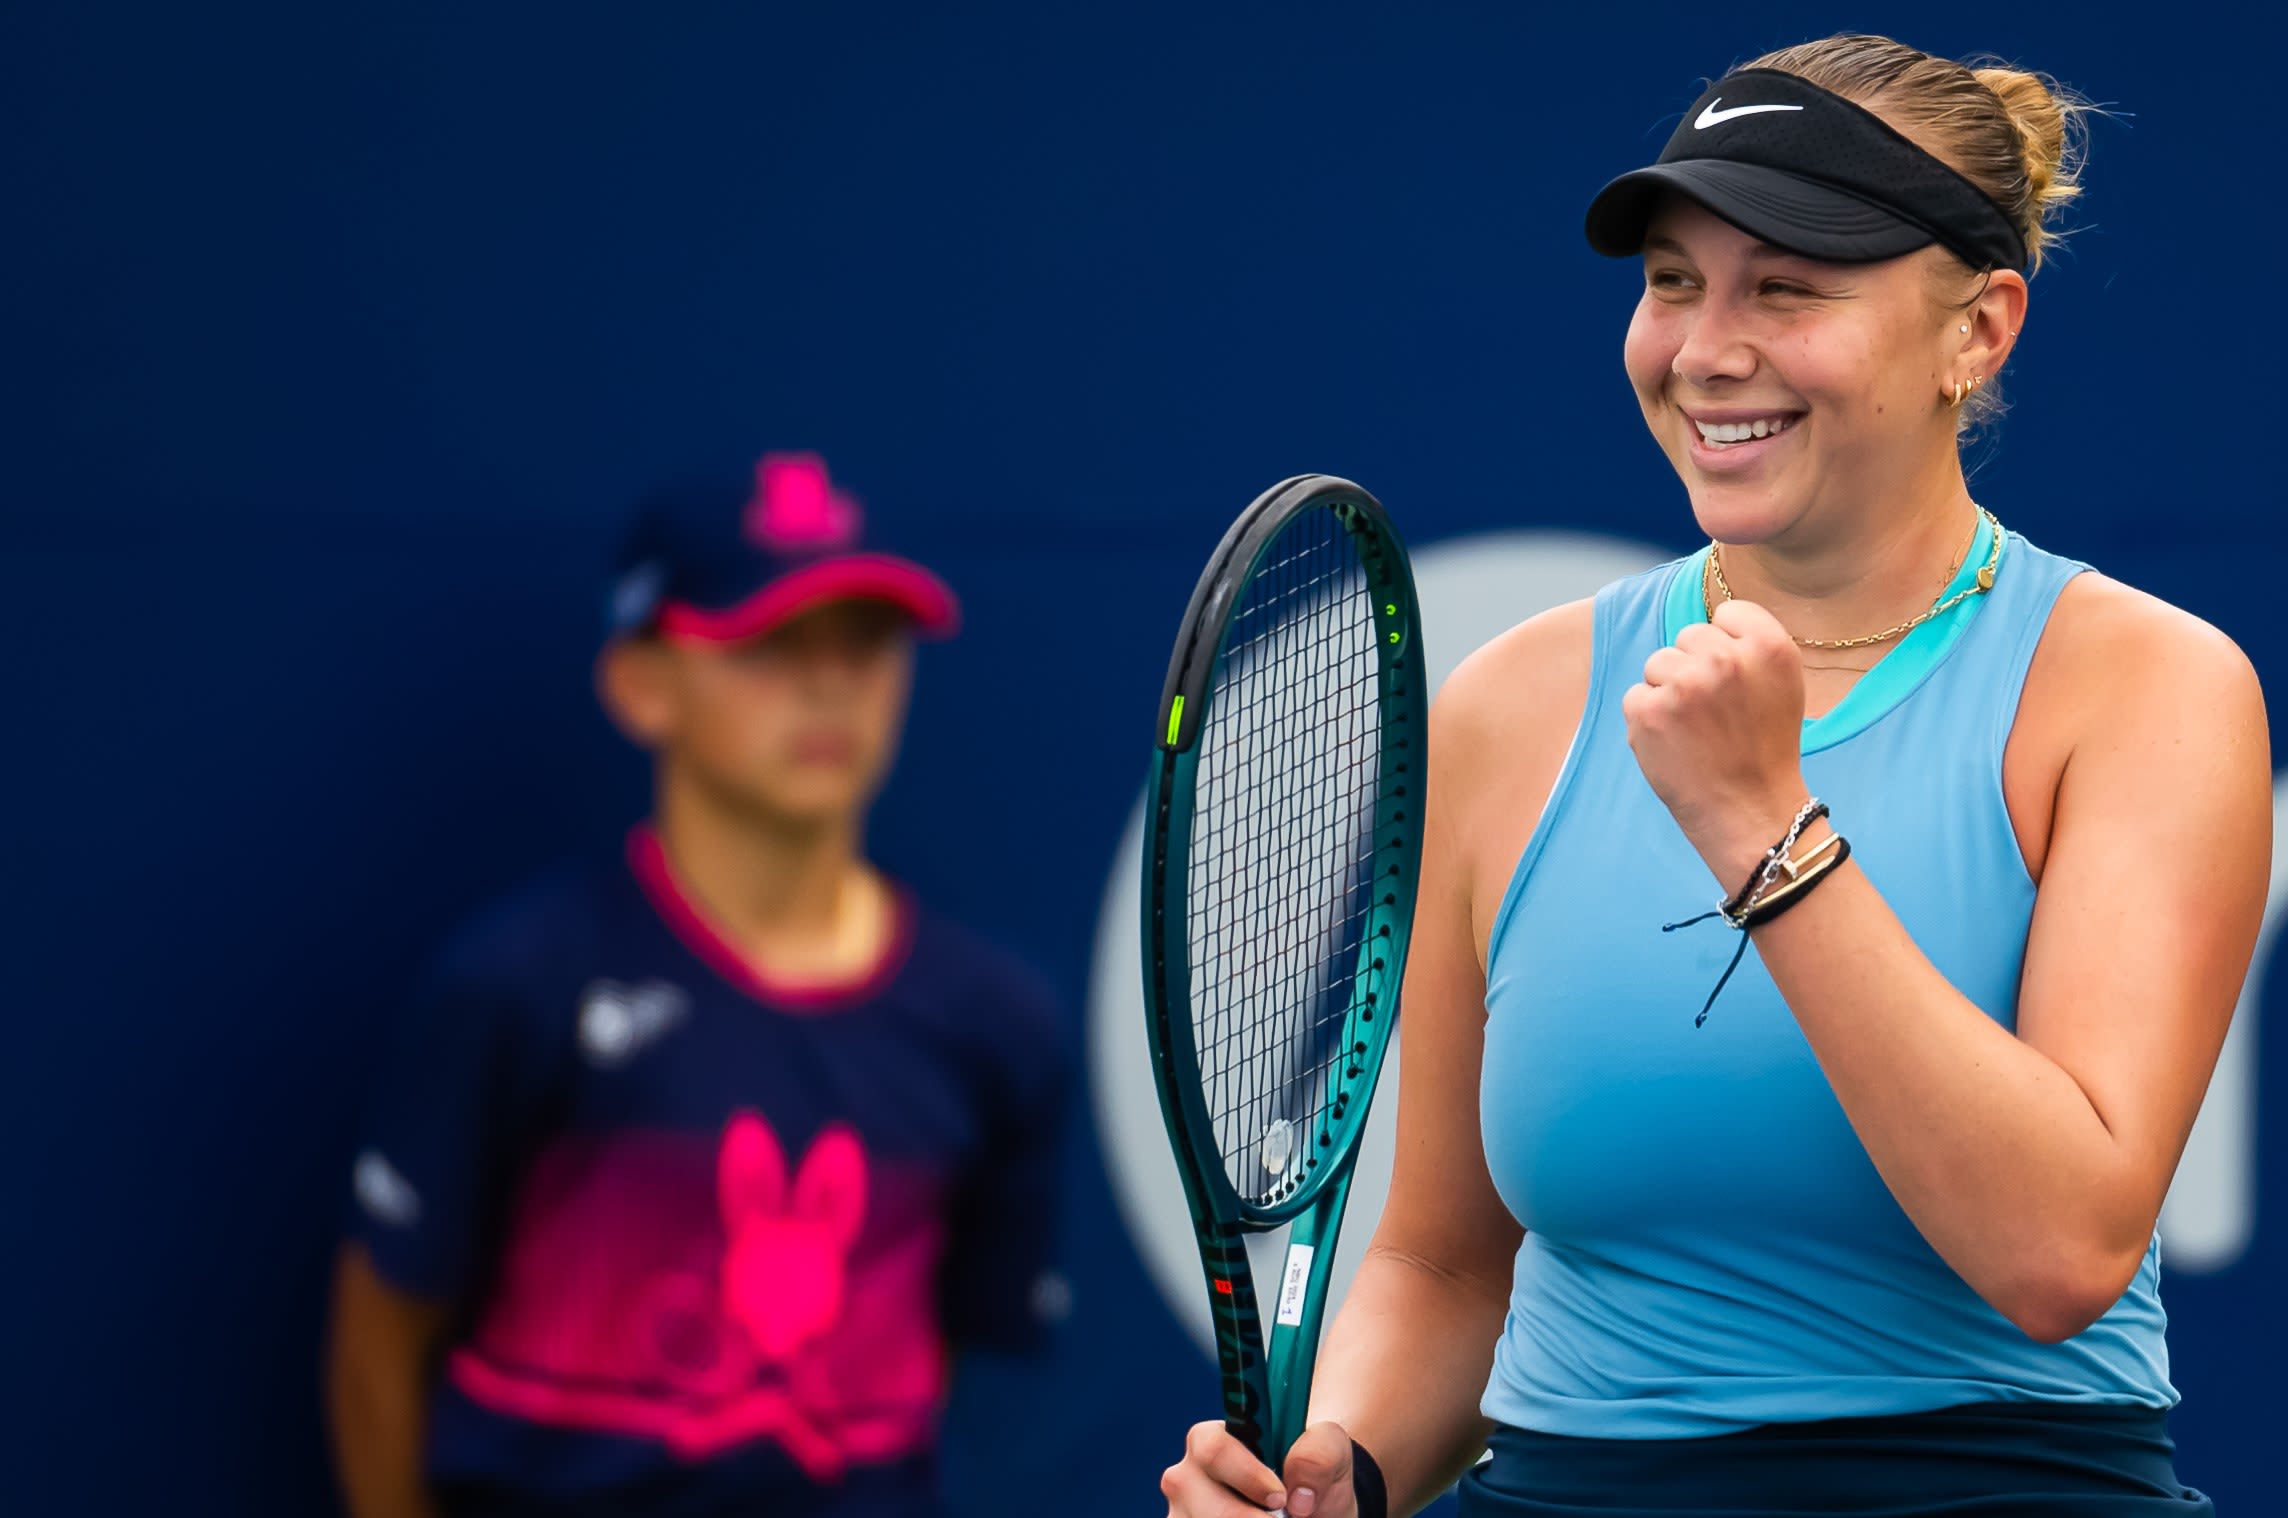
(708, 1297)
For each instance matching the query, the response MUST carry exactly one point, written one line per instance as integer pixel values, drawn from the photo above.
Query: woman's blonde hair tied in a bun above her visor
(2017, 136)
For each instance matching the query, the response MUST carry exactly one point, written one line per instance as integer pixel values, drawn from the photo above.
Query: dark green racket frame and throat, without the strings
(1269, 1389)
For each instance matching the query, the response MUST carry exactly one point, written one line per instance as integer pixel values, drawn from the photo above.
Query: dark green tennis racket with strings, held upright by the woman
(1280, 873)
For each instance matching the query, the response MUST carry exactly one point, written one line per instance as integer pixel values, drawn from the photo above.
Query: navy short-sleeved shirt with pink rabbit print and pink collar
(713, 1242)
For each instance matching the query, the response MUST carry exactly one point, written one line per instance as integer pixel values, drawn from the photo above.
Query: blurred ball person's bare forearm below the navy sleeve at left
(381, 1354)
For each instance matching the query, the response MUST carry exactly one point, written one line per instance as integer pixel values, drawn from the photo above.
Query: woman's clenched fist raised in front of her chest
(1717, 729)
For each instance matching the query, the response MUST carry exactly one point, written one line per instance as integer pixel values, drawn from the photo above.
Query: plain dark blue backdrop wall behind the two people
(337, 340)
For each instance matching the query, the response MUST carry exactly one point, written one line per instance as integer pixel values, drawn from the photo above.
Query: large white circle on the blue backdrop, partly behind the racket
(1470, 592)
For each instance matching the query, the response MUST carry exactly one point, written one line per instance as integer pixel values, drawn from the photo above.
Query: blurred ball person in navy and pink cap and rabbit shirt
(697, 1167)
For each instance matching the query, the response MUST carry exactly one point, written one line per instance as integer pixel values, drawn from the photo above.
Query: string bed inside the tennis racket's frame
(1282, 853)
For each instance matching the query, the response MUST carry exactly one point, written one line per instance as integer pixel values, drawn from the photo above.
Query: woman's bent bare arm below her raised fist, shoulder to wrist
(2037, 1162)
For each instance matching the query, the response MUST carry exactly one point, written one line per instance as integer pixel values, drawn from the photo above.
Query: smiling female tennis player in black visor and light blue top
(1866, 1226)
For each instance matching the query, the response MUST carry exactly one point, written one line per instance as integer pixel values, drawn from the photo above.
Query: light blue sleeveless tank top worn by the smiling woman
(1708, 1242)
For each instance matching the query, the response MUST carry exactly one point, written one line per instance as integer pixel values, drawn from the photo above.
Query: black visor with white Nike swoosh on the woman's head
(1811, 173)
